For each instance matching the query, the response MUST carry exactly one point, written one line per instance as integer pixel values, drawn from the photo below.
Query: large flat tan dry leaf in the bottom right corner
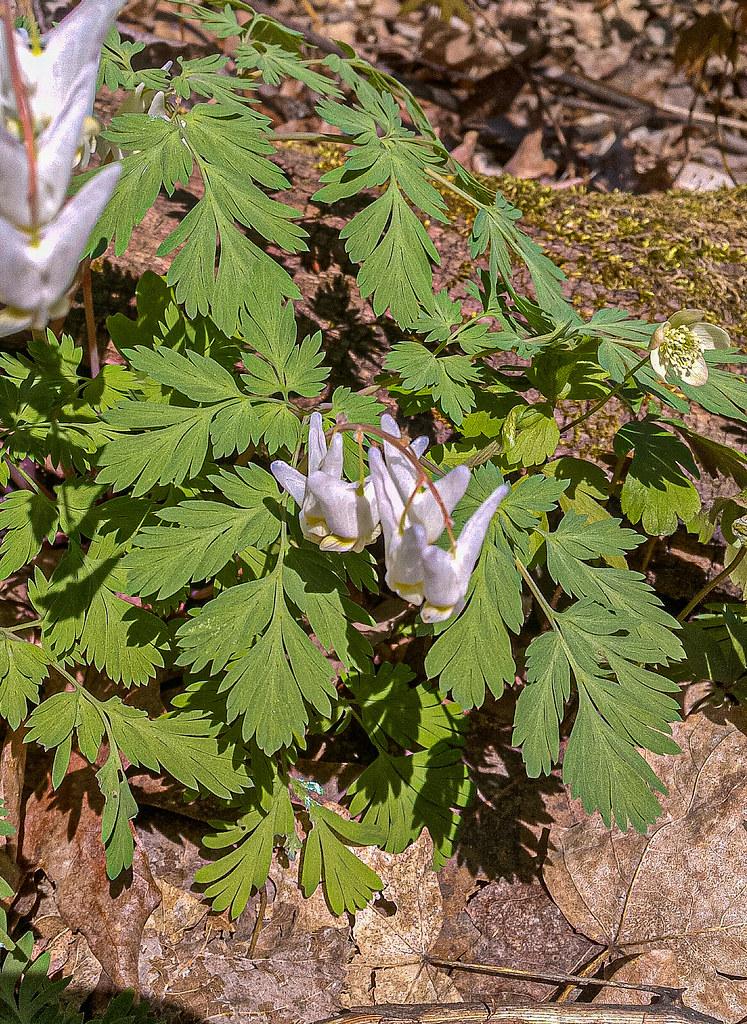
(672, 905)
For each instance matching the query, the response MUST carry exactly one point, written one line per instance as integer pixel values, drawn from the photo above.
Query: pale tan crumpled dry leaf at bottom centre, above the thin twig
(394, 934)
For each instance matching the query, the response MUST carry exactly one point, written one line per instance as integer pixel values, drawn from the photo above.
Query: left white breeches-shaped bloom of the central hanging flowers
(337, 515)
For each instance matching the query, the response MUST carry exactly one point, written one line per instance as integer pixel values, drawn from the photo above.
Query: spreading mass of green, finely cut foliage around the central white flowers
(159, 548)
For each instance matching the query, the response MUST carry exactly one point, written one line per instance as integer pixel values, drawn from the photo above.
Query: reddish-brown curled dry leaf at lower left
(62, 836)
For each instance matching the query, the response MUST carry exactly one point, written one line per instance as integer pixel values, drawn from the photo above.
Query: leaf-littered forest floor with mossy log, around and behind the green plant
(571, 102)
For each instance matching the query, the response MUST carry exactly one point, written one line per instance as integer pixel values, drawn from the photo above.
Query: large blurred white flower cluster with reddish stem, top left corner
(41, 238)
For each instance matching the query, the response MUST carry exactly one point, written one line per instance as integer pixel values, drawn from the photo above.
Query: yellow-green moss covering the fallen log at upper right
(650, 254)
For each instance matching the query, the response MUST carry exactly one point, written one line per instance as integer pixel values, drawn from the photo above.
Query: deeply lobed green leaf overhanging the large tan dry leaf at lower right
(621, 707)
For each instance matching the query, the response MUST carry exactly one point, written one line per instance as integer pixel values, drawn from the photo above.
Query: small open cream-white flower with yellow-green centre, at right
(679, 345)
